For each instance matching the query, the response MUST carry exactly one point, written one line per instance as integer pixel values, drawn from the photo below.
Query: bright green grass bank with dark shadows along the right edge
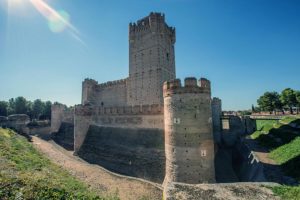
(284, 143)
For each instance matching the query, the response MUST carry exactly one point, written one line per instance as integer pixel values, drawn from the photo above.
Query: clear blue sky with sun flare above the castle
(244, 47)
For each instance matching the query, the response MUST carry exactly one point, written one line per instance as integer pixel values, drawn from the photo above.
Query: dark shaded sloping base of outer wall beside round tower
(132, 152)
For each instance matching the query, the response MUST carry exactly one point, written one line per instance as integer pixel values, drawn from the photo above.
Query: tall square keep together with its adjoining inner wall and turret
(151, 63)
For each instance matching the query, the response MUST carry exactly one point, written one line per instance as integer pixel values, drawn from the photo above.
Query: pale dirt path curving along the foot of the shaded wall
(96, 177)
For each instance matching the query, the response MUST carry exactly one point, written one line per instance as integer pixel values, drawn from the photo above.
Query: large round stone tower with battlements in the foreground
(189, 142)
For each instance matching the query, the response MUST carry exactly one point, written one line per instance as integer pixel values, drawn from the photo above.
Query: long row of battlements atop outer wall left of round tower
(153, 109)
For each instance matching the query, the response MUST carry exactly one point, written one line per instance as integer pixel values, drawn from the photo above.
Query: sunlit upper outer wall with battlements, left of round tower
(146, 116)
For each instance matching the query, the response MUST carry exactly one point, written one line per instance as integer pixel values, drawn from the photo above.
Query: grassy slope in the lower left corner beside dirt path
(26, 174)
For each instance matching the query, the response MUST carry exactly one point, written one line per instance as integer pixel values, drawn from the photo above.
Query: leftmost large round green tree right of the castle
(270, 101)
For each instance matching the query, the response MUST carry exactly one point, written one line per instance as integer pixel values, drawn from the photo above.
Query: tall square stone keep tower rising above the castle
(151, 59)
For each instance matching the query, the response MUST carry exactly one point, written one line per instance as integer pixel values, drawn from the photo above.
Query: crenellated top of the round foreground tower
(190, 86)
